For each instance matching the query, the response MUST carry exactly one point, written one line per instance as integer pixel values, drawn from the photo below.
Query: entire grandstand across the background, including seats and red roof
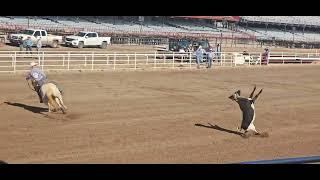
(275, 30)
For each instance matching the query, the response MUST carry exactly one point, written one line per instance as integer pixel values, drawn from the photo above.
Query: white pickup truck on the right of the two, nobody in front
(85, 39)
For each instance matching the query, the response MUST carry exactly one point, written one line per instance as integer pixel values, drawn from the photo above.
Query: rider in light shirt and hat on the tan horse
(38, 76)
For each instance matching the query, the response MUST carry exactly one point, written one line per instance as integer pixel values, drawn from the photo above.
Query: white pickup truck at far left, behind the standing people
(46, 39)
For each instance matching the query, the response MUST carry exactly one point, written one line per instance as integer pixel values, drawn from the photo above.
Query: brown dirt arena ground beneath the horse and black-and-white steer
(162, 116)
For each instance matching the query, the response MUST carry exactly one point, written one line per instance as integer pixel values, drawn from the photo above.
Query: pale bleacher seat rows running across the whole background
(131, 25)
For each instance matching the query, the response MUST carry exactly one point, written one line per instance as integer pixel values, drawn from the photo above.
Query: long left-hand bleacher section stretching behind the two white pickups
(108, 24)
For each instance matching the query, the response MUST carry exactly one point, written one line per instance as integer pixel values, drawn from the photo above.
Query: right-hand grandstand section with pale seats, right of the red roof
(289, 29)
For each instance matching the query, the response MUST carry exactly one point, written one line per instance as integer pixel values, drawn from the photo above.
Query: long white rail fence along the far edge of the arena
(13, 61)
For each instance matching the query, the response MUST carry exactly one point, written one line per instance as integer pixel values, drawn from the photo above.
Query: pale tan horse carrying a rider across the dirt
(52, 97)
